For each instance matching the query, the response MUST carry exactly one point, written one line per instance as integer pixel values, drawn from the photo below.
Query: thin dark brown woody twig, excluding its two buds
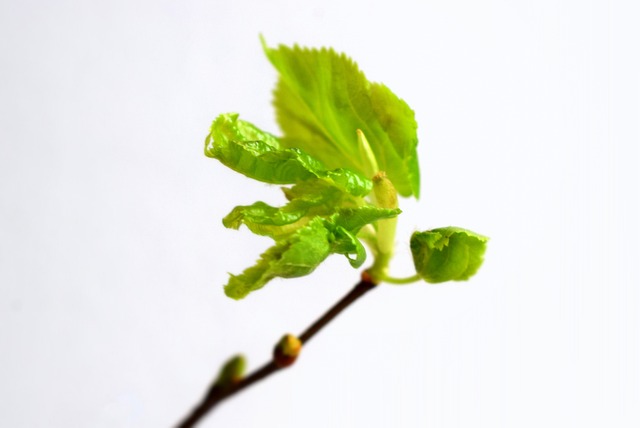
(217, 393)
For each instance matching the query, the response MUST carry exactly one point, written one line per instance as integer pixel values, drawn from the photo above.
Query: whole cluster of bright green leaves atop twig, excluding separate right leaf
(347, 150)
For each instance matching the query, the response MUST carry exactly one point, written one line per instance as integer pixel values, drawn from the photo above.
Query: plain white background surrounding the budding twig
(113, 256)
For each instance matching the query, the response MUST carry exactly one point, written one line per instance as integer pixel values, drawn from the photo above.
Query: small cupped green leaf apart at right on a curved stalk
(447, 254)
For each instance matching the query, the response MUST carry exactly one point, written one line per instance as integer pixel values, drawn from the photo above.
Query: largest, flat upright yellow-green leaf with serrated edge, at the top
(322, 99)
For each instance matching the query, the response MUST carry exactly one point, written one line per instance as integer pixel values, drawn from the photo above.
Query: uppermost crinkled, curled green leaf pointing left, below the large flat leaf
(257, 154)
